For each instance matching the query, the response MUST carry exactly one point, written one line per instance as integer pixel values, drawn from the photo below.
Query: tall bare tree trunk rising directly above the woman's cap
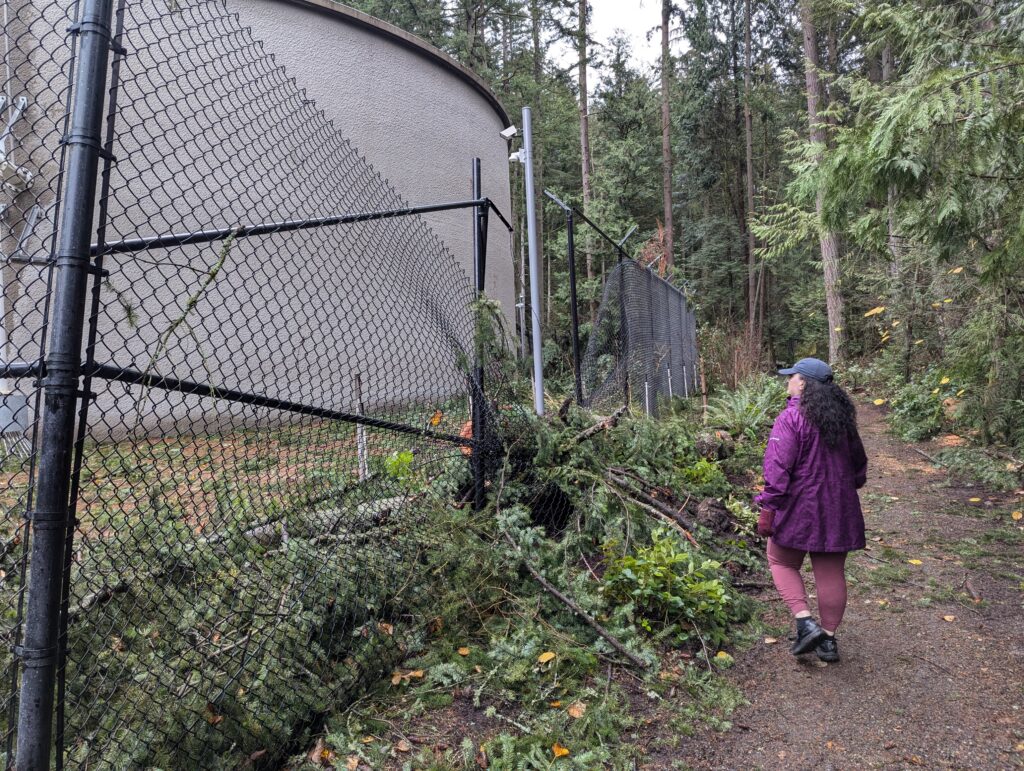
(829, 239)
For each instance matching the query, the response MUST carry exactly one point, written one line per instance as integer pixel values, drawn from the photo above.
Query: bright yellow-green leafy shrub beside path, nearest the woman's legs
(672, 592)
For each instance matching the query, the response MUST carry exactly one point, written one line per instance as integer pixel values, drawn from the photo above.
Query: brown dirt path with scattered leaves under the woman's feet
(931, 676)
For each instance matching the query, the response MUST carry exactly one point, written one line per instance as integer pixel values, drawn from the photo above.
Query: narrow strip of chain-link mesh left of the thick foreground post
(36, 87)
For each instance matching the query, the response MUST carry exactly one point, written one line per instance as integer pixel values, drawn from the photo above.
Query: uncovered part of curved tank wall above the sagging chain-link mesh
(414, 113)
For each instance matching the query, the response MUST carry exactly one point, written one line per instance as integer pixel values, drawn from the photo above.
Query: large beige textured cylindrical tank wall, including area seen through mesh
(416, 121)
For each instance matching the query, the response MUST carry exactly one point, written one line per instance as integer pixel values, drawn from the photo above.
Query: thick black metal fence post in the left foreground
(38, 652)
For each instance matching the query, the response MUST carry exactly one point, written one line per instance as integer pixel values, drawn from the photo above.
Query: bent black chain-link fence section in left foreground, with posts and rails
(279, 393)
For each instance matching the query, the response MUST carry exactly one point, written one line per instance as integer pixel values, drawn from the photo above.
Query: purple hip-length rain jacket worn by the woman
(814, 489)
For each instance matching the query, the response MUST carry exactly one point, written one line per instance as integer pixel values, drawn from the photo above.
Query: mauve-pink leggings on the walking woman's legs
(830, 579)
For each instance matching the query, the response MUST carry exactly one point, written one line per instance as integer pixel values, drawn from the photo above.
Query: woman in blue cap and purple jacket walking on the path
(815, 465)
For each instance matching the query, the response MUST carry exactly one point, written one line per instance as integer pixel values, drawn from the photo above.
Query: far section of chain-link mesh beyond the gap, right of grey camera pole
(643, 350)
